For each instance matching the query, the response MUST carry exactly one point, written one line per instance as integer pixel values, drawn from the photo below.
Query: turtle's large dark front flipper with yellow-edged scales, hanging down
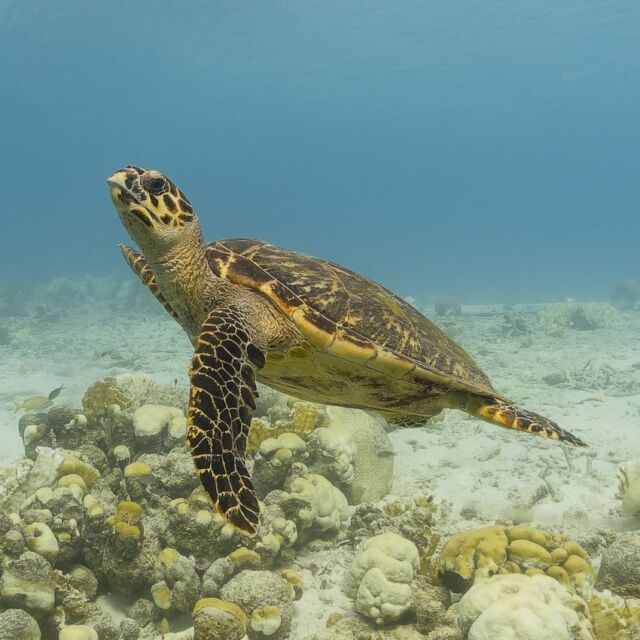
(221, 402)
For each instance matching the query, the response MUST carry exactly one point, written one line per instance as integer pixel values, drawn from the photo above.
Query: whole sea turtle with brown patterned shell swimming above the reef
(305, 326)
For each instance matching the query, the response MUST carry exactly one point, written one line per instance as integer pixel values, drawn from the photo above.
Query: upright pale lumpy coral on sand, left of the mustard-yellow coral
(380, 577)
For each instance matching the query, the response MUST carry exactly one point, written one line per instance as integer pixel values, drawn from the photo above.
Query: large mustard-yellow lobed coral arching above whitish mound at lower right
(490, 550)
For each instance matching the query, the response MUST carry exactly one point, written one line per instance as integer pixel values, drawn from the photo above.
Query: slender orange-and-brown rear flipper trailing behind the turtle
(506, 414)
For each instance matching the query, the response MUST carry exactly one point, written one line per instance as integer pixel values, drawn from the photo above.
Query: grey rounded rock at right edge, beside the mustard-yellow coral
(620, 566)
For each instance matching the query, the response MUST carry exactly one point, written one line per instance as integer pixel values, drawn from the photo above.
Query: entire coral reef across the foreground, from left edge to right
(107, 500)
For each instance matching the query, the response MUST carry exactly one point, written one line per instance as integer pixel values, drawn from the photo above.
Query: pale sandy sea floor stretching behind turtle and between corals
(586, 380)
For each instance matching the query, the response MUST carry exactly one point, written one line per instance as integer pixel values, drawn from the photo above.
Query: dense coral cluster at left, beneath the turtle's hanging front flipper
(107, 499)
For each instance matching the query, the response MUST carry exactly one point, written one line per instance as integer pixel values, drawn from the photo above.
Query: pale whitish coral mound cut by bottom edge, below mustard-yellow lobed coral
(520, 607)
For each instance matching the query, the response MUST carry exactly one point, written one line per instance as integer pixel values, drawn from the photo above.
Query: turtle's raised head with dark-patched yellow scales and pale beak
(152, 209)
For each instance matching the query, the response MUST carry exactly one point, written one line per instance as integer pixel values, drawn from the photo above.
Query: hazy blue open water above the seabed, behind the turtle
(487, 150)
